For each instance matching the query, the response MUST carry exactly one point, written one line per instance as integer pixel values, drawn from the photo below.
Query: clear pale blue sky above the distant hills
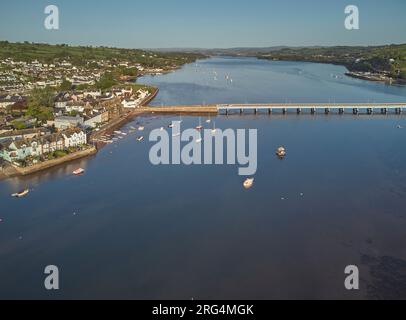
(204, 23)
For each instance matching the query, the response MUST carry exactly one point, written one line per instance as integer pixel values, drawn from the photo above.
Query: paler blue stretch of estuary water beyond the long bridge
(261, 81)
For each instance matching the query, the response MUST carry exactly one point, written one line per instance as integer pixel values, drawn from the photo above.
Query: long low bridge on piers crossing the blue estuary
(312, 108)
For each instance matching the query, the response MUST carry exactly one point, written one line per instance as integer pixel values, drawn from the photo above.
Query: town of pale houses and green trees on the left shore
(52, 103)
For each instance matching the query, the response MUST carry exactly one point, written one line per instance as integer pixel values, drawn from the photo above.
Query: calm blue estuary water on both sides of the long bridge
(130, 230)
